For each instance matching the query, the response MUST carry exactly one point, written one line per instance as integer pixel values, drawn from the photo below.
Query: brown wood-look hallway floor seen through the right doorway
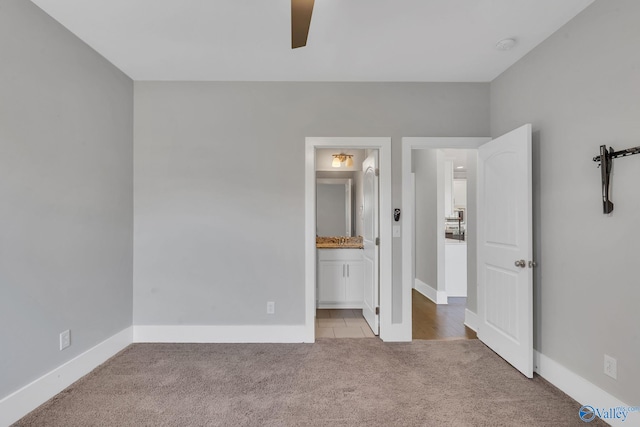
(437, 322)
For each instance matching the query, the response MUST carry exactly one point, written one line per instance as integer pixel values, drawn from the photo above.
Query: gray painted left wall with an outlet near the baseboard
(66, 135)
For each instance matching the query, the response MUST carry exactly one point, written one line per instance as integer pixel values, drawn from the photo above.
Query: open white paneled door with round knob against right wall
(505, 273)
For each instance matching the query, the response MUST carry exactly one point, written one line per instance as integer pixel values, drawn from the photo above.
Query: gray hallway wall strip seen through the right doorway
(425, 167)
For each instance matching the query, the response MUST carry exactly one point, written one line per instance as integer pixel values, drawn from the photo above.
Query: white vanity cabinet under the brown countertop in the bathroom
(340, 281)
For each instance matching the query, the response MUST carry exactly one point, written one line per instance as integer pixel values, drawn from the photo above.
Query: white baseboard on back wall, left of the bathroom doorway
(220, 333)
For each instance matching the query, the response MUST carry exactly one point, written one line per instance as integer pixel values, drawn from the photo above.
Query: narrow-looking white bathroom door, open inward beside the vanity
(370, 236)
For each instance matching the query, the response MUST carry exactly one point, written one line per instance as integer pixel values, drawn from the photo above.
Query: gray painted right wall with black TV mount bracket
(580, 89)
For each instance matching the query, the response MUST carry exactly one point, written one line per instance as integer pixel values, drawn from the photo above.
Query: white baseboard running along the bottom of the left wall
(21, 402)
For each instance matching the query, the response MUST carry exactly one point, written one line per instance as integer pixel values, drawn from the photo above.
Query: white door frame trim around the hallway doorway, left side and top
(408, 209)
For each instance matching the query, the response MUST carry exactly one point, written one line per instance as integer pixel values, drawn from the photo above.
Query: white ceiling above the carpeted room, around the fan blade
(349, 40)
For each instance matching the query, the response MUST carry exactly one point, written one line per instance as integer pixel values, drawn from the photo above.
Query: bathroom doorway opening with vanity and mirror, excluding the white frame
(346, 227)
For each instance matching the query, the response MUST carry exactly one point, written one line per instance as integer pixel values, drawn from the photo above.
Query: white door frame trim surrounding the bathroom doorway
(383, 145)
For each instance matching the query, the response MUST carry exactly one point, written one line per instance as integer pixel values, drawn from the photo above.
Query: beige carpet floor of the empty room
(346, 382)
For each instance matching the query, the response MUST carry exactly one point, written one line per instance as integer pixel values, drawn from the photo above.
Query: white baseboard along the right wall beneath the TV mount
(579, 389)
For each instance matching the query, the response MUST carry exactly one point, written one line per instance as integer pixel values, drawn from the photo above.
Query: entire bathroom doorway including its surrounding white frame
(349, 275)
